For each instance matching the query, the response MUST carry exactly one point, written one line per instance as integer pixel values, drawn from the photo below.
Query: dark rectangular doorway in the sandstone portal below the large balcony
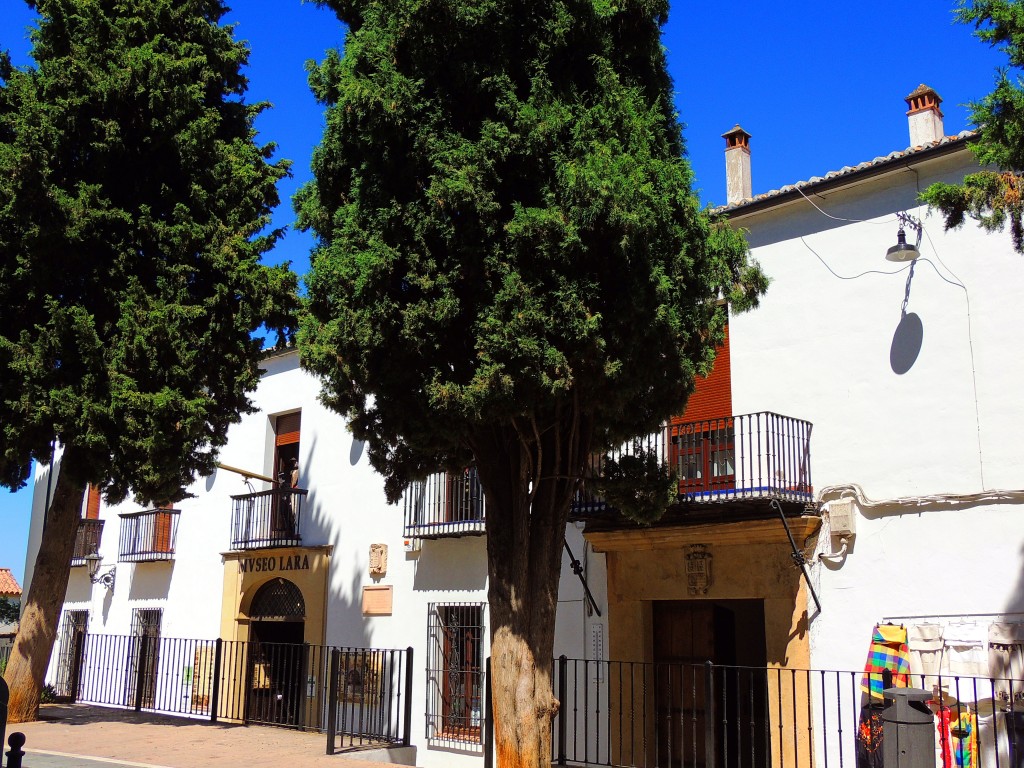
(728, 633)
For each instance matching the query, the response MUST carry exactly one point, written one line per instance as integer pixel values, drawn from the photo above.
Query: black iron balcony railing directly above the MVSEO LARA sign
(270, 519)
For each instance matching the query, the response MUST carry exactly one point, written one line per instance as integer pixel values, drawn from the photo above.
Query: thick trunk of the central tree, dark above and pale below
(529, 477)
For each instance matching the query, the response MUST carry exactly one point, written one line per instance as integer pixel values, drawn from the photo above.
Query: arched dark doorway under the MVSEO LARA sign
(277, 655)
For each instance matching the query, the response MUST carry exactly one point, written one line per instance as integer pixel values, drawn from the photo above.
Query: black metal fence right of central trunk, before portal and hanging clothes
(673, 715)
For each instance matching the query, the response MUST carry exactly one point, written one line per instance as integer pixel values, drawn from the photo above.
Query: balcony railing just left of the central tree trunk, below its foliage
(446, 504)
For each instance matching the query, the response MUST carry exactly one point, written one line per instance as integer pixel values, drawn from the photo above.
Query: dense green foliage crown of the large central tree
(506, 230)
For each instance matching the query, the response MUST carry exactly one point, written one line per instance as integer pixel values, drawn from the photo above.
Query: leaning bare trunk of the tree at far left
(31, 655)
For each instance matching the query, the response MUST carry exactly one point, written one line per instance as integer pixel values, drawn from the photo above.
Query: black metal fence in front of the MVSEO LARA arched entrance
(280, 685)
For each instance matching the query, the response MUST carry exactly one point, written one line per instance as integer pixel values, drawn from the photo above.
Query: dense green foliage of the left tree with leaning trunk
(134, 201)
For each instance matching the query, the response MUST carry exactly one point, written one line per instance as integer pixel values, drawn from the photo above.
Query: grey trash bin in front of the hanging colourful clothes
(908, 730)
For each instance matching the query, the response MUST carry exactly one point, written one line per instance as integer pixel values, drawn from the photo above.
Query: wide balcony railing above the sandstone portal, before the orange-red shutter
(754, 456)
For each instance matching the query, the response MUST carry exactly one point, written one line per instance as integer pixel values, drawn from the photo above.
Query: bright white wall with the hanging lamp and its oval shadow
(819, 349)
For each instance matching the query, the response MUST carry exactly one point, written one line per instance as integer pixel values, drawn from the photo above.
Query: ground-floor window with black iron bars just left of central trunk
(455, 673)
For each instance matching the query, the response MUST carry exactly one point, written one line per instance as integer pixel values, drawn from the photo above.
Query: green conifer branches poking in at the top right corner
(993, 198)
